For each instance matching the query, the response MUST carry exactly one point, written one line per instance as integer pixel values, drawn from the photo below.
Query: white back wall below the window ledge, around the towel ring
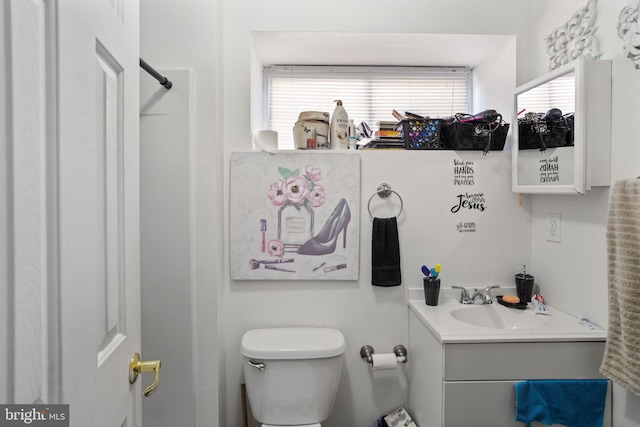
(379, 316)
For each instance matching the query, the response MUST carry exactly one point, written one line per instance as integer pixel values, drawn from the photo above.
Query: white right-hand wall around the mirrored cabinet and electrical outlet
(572, 273)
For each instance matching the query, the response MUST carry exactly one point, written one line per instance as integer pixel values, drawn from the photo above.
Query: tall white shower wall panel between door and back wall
(166, 146)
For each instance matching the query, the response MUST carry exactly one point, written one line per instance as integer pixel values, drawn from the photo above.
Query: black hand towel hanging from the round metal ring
(385, 253)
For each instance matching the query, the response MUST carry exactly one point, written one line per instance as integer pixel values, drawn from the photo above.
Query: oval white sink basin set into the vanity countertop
(496, 316)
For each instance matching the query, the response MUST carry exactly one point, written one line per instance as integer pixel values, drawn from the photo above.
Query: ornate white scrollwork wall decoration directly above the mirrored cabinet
(575, 38)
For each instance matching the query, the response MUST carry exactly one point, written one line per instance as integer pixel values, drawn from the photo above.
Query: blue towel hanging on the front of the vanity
(573, 403)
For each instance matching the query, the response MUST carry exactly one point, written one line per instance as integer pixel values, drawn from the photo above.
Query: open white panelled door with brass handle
(69, 207)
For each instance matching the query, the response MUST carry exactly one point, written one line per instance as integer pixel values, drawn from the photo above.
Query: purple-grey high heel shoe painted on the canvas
(325, 241)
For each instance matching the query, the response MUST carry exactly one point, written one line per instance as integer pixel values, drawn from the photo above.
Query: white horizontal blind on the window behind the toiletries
(368, 94)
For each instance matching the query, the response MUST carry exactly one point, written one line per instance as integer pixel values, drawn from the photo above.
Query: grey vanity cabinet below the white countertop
(472, 383)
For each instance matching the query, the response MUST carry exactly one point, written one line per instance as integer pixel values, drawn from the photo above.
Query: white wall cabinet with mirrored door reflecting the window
(562, 141)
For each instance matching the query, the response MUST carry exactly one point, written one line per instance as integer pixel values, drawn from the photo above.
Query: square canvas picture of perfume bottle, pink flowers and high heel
(294, 216)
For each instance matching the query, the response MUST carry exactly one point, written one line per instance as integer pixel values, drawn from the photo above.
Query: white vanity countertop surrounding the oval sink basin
(557, 326)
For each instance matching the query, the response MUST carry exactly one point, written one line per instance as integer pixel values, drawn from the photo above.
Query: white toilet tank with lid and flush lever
(292, 374)
